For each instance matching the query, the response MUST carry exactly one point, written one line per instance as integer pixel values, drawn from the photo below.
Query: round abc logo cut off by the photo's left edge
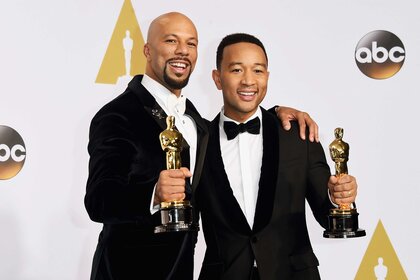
(12, 152)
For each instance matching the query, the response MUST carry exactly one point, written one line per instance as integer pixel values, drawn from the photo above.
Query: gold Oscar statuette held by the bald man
(175, 215)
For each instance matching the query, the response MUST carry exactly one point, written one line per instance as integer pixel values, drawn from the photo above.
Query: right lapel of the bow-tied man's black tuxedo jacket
(269, 171)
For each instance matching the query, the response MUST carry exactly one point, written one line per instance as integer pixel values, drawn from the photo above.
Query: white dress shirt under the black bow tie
(242, 158)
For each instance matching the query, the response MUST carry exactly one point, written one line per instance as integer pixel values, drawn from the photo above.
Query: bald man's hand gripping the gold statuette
(171, 185)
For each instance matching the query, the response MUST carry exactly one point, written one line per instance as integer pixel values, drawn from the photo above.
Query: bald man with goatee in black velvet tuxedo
(127, 176)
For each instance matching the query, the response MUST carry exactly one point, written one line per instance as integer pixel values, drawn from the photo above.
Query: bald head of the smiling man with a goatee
(171, 50)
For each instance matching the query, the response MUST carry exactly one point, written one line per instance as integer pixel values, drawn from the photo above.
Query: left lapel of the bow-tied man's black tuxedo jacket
(228, 203)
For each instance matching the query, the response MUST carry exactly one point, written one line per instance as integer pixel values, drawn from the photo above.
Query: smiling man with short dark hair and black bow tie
(256, 178)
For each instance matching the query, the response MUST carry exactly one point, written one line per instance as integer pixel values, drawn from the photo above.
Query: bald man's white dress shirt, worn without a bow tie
(174, 106)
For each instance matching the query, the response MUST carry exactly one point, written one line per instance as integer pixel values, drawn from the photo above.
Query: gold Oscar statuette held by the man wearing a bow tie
(342, 221)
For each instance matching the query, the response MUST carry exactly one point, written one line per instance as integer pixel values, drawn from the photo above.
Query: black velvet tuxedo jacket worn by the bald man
(125, 161)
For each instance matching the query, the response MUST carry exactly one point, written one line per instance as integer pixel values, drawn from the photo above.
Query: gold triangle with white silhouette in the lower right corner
(380, 260)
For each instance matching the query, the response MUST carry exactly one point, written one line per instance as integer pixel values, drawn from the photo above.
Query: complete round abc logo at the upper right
(380, 54)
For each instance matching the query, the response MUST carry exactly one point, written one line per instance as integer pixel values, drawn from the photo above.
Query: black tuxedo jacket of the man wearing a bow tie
(292, 170)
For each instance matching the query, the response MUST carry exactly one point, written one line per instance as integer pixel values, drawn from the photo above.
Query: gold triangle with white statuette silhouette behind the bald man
(124, 56)
